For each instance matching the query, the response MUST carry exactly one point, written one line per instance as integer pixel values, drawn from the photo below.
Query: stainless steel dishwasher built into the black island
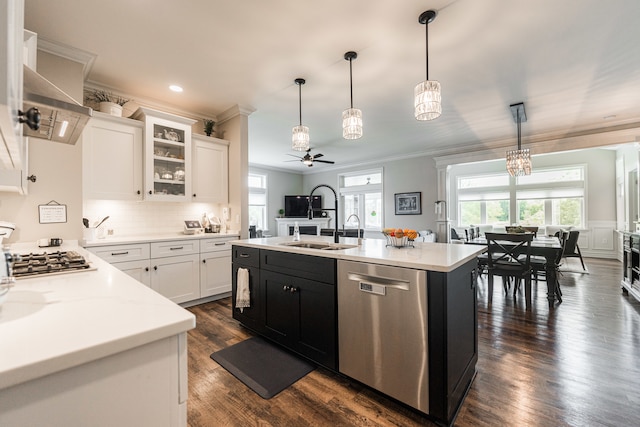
(382, 329)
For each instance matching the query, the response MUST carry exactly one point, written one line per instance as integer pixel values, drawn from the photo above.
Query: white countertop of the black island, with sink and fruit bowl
(442, 257)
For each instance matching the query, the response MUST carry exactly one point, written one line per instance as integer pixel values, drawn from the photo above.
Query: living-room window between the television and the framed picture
(361, 194)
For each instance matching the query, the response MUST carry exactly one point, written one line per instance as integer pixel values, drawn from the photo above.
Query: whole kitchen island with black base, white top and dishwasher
(400, 320)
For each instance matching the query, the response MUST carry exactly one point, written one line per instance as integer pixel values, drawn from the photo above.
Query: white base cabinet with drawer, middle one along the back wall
(174, 269)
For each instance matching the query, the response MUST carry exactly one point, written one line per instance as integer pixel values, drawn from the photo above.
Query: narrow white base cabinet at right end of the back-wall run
(215, 267)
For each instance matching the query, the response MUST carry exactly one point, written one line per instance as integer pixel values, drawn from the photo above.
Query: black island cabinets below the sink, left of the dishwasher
(293, 301)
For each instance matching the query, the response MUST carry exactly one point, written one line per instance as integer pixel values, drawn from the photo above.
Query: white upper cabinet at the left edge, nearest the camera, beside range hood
(11, 58)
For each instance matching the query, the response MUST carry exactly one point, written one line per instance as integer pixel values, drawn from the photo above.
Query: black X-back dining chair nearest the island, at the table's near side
(509, 256)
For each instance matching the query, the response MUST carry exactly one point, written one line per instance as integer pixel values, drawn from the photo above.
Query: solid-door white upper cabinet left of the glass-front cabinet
(112, 158)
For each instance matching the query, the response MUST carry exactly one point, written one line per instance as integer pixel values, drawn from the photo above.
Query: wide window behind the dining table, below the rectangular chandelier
(553, 196)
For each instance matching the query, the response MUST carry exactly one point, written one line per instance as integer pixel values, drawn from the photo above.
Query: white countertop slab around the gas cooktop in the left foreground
(54, 322)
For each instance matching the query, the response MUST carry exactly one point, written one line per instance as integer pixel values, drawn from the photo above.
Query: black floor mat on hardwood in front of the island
(262, 366)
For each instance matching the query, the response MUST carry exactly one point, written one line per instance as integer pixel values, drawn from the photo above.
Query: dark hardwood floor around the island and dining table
(577, 364)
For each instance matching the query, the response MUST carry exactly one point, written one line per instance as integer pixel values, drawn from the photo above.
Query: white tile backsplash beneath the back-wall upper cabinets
(131, 218)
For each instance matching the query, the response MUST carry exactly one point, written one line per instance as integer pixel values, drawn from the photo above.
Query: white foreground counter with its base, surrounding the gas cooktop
(91, 348)
